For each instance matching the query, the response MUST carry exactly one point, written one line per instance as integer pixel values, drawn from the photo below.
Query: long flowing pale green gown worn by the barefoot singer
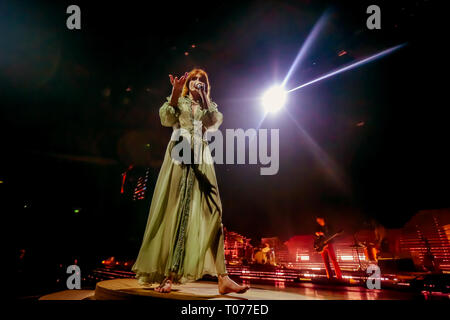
(184, 232)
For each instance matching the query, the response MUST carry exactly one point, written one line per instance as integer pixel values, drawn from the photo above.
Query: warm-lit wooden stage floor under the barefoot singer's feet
(128, 289)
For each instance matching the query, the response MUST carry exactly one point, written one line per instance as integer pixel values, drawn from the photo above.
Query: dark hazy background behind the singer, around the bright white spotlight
(79, 106)
